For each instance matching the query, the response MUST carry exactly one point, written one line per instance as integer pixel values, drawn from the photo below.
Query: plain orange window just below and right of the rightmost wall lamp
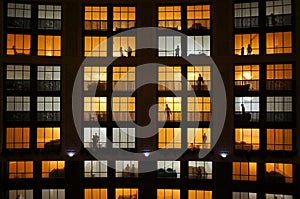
(245, 171)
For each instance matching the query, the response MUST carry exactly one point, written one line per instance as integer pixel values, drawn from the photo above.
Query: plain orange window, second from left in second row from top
(49, 45)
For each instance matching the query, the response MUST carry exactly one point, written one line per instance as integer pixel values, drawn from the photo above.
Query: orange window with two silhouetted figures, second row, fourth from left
(123, 44)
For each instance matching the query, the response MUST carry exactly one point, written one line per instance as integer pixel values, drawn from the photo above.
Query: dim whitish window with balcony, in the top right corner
(279, 13)
